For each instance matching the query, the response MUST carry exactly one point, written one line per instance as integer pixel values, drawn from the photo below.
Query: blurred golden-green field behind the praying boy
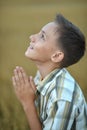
(17, 22)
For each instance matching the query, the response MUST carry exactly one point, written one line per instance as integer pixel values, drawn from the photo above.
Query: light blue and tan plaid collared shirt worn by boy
(60, 102)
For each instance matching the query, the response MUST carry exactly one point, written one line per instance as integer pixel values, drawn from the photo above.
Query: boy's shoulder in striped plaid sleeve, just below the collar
(64, 86)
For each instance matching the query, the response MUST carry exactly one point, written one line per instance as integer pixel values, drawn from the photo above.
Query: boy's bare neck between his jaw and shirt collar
(45, 68)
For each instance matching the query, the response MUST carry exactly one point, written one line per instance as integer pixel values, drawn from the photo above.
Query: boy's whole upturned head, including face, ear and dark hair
(58, 44)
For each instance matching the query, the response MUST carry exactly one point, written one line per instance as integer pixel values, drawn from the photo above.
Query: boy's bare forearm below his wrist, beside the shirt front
(32, 117)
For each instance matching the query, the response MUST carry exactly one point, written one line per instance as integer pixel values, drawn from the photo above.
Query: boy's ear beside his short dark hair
(57, 57)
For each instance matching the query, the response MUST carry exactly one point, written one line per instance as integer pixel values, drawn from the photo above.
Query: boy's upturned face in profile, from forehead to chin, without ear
(43, 44)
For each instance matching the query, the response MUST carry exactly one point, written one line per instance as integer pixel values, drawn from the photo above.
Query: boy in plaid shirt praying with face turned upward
(53, 100)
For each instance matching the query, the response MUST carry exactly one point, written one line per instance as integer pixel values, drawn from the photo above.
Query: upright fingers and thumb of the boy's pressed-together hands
(21, 80)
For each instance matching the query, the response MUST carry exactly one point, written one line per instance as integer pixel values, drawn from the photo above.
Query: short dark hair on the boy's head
(71, 40)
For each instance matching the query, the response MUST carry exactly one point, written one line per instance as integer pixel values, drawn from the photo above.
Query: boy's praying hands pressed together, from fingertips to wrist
(24, 88)
